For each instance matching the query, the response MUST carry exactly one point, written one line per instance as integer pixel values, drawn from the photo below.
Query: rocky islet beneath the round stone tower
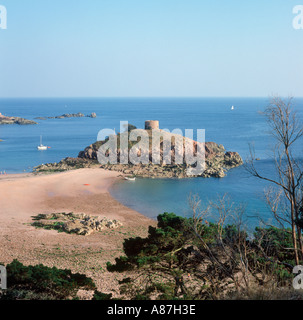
(217, 160)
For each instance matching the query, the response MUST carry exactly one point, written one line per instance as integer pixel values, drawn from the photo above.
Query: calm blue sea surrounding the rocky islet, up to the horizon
(236, 130)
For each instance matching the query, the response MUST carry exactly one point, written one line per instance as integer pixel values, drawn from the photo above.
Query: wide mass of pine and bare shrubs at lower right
(187, 259)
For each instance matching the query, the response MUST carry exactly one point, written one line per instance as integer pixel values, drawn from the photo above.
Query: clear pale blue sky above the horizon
(150, 48)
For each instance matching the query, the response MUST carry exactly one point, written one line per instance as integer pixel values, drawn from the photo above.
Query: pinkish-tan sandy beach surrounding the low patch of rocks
(80, 191)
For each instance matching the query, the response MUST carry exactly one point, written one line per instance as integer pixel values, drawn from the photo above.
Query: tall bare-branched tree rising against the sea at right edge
(286, 199)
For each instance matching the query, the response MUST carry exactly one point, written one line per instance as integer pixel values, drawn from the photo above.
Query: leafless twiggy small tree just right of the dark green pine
(224, 246)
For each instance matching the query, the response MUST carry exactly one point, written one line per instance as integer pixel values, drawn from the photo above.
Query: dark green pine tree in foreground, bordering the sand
(161, 260)
